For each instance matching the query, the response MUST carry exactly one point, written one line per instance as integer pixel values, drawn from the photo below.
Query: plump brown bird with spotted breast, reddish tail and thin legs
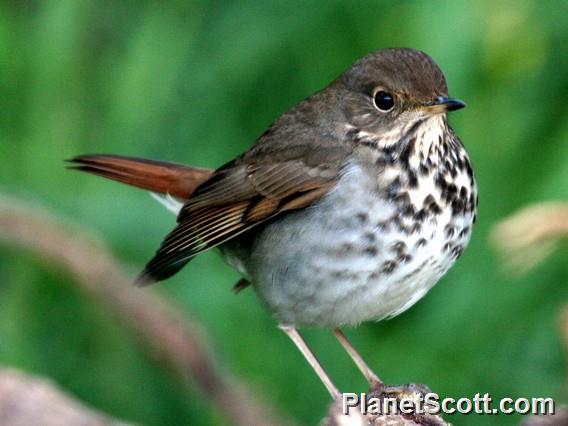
(347, 209)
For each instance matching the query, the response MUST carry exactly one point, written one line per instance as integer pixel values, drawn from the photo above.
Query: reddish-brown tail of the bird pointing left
(156, 176)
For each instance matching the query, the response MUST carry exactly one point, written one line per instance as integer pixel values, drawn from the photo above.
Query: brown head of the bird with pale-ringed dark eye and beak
(388, 93)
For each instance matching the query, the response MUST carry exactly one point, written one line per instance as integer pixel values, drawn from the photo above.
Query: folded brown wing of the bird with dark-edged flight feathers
(234, 200)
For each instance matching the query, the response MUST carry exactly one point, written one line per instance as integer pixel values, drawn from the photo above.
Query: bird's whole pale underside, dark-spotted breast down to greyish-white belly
(376, 243)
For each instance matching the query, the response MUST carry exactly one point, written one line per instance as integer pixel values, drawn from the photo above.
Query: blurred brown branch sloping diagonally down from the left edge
(170, 334)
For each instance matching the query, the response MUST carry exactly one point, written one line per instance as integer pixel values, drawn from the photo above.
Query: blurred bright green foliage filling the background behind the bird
(197, 82)
